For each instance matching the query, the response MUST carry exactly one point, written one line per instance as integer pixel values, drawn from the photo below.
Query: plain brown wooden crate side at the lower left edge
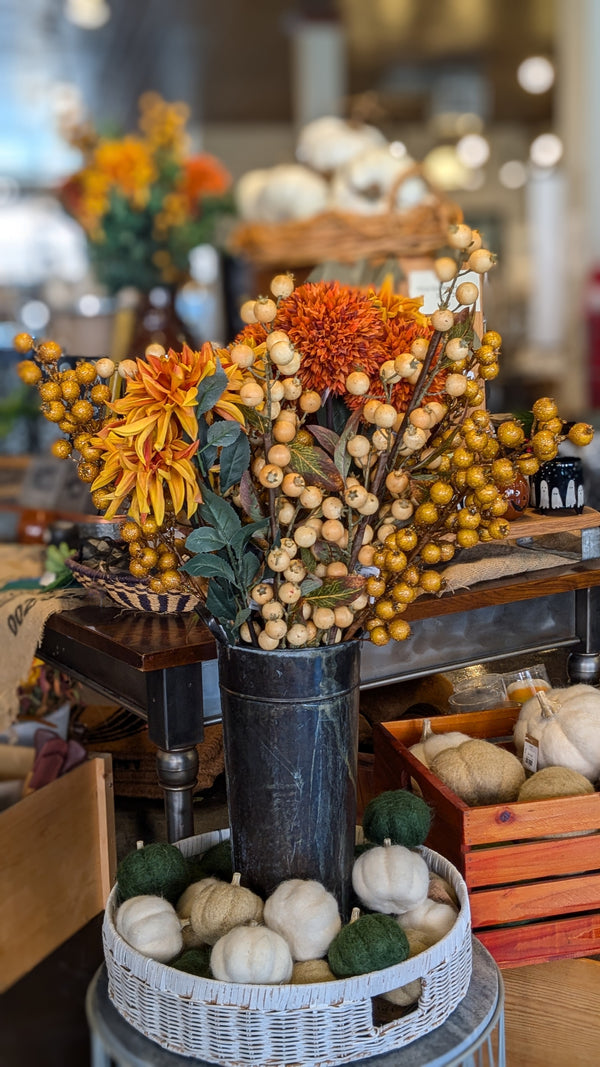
(58, 866)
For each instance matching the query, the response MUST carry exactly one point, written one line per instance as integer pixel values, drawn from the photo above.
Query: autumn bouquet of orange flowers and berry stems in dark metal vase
(311, 480)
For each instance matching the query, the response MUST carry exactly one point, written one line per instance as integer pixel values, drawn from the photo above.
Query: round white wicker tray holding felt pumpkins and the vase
(317, 1026)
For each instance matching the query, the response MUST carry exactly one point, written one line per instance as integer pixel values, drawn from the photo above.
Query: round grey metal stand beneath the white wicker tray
(473, 1036)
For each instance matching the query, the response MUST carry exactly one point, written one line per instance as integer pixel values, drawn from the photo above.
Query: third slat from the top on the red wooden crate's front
(514, 904)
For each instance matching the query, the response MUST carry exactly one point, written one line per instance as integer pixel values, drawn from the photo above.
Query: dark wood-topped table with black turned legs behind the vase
(165, 667)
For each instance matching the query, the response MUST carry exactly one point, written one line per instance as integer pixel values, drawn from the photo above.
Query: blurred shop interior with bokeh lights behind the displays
(498, 100)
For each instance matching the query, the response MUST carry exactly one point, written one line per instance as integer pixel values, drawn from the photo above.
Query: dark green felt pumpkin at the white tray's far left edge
(156, 870)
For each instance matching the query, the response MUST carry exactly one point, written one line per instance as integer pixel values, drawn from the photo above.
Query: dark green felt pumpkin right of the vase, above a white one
(399, 816)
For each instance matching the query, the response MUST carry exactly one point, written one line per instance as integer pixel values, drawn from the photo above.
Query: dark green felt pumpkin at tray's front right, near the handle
(370, 944)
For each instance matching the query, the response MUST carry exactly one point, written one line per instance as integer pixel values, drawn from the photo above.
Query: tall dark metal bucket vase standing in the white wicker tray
(291, 724)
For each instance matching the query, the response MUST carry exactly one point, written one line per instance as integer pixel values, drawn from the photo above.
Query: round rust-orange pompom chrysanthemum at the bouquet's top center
(337, 329)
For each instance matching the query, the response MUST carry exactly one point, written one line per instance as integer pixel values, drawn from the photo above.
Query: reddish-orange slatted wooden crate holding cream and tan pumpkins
(534, 897)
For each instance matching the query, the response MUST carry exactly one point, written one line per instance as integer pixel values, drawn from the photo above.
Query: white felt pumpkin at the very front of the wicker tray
(252, 954)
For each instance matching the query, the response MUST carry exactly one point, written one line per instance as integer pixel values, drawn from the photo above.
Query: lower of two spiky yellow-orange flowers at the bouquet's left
(145, 482)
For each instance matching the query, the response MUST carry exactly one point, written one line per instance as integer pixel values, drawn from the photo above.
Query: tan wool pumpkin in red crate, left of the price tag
(480, 773)
